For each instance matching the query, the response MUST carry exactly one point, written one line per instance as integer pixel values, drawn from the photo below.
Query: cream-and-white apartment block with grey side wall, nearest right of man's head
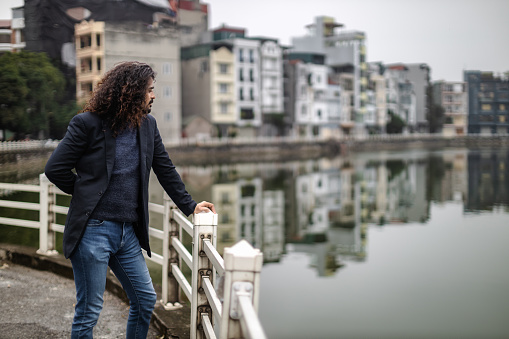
(234, 82)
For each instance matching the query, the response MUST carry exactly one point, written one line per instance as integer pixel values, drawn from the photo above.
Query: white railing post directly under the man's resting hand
(205, 227)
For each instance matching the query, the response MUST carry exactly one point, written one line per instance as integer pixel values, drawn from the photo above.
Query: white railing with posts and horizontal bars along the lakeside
(232, 314)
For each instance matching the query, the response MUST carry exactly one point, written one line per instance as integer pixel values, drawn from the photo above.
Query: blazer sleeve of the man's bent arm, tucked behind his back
(63, 160)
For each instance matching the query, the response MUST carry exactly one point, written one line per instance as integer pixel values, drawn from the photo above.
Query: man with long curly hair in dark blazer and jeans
(112, 146)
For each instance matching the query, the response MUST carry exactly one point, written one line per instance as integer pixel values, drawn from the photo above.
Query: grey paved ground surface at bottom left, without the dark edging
(40, 304)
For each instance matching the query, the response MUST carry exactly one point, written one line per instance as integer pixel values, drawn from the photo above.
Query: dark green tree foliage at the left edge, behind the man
(31, 96)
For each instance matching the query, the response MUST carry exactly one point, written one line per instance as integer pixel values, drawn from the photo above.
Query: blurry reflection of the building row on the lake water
(324, 207)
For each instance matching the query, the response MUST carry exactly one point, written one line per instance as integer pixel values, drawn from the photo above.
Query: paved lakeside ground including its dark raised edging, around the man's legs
(38, 296)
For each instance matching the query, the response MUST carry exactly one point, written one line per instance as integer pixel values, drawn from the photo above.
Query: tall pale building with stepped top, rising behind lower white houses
(345, 53)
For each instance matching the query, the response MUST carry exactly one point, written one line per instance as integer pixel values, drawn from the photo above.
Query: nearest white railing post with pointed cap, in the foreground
(243, 265)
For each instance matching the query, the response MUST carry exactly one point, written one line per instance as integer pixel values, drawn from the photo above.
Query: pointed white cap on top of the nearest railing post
(243, 257)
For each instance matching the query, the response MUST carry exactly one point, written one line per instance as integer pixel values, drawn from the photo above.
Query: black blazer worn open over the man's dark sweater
(89, 148)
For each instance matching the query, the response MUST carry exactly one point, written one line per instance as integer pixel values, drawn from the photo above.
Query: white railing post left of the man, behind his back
(46, 235)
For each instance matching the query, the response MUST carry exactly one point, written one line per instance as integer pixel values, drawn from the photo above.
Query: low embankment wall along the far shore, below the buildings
(235, 152)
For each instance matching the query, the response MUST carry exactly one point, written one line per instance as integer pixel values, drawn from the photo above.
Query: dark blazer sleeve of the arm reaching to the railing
(169, 178)
